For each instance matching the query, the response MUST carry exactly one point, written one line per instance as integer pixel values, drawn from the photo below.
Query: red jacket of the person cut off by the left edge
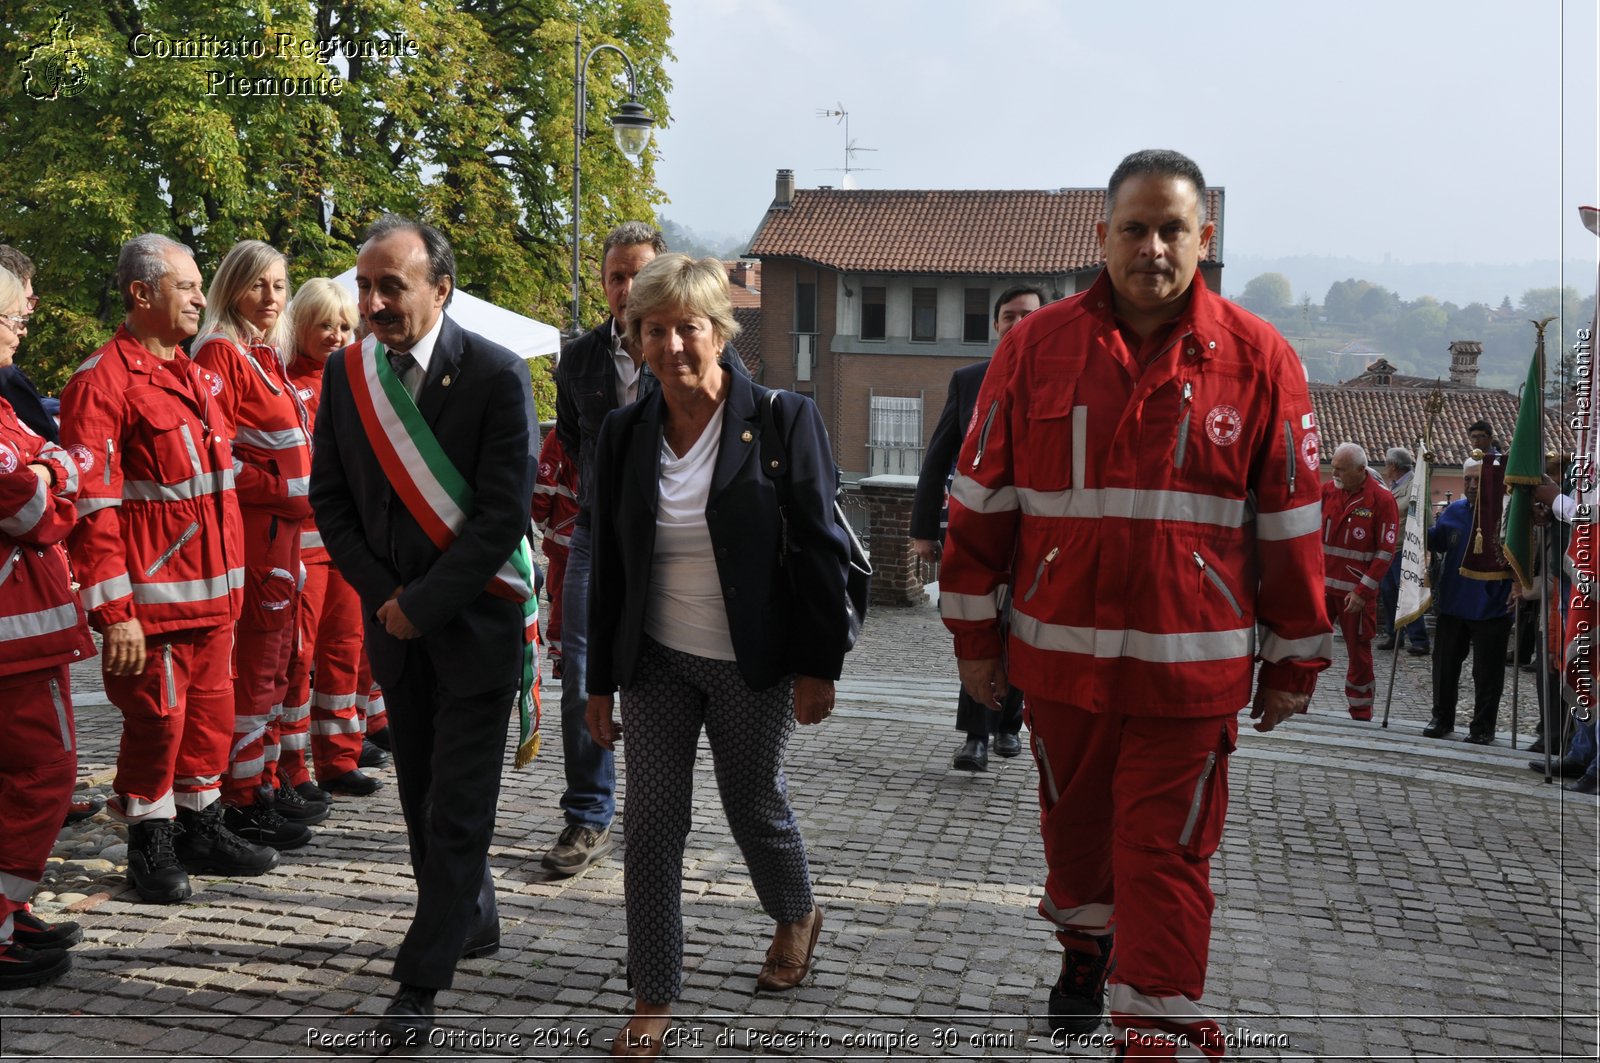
(42, 624)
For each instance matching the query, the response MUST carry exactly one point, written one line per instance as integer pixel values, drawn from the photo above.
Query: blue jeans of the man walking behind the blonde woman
(591, 771)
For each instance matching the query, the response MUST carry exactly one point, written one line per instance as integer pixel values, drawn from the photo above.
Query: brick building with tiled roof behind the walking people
(873, 299)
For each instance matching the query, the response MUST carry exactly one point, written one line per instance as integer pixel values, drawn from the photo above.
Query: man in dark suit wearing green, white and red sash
(446, 649)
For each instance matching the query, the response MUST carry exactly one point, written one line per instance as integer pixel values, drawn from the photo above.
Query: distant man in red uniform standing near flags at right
(1361, 527)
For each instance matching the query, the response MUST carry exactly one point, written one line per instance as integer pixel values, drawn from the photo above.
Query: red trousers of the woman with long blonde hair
(266, 643)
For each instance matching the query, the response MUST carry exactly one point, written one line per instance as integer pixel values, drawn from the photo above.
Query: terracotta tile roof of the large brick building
(945, 231)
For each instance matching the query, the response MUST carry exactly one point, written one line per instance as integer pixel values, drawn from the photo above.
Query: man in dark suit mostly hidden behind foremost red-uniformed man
(929, 516)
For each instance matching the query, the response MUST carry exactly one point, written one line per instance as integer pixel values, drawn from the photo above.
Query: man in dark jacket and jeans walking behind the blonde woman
(598, 374)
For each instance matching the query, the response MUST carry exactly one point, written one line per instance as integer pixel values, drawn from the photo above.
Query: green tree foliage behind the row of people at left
(470, 129)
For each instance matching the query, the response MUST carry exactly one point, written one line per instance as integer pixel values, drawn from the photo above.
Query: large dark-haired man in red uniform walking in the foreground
(1143, 473)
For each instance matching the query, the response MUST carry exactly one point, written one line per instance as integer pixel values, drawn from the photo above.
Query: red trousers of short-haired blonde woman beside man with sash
(326, 686)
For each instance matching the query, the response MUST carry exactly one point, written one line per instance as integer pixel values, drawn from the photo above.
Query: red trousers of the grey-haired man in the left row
(177, 718)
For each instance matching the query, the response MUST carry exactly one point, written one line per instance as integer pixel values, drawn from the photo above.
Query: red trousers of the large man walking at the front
(1132, 809)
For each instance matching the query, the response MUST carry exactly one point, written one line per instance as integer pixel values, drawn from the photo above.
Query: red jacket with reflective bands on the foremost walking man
(1148, 521)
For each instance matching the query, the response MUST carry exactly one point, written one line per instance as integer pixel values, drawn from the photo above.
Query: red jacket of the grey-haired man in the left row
(158, 519)
